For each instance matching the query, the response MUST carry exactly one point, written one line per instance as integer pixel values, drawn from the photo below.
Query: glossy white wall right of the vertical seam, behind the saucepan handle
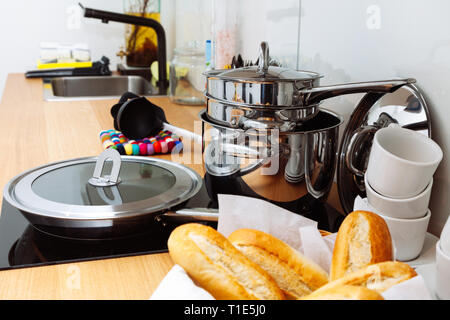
(351, 40)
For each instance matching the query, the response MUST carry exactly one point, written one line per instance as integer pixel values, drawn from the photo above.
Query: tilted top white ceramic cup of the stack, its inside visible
(402, 162)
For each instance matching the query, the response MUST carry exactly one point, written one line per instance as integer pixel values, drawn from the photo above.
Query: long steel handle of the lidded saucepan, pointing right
(317, 94)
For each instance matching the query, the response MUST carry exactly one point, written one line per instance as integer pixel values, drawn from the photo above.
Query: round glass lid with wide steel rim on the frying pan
(75, 189)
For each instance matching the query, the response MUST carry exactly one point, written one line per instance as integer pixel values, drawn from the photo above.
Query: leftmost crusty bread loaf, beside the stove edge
(218, 267)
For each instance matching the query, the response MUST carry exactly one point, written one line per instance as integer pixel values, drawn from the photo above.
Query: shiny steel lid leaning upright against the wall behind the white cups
(406, 107)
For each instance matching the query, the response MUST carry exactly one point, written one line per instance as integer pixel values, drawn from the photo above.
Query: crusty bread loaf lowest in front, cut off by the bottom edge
(344, 292)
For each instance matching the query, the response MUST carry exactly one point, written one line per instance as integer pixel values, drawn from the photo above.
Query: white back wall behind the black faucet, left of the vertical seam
(26, 23)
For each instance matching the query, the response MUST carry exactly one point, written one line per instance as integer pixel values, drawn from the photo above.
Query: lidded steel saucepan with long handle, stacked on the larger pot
(276, 93)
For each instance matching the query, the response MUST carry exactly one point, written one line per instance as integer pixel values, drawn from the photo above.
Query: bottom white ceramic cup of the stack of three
(408, 235)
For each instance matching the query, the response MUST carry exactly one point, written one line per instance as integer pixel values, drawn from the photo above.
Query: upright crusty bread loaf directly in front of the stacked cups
(363, 239)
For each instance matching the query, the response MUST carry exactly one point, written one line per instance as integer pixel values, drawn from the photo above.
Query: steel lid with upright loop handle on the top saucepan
(267, 70)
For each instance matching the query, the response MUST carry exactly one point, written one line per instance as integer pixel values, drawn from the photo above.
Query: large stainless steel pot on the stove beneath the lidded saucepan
(277, 166)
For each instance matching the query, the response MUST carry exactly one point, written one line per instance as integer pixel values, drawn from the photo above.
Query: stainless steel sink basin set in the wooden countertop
(96, 87)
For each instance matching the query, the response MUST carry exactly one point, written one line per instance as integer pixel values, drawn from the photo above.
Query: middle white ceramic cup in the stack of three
(408, 208)
